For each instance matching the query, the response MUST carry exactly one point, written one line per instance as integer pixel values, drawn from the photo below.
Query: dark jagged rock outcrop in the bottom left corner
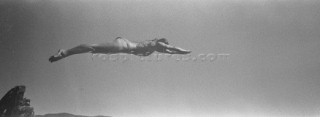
(13, 104)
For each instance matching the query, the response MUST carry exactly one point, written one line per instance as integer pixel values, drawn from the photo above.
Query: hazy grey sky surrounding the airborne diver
(273, 69)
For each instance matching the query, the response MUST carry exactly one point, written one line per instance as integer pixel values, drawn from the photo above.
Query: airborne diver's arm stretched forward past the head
(173, 50)
